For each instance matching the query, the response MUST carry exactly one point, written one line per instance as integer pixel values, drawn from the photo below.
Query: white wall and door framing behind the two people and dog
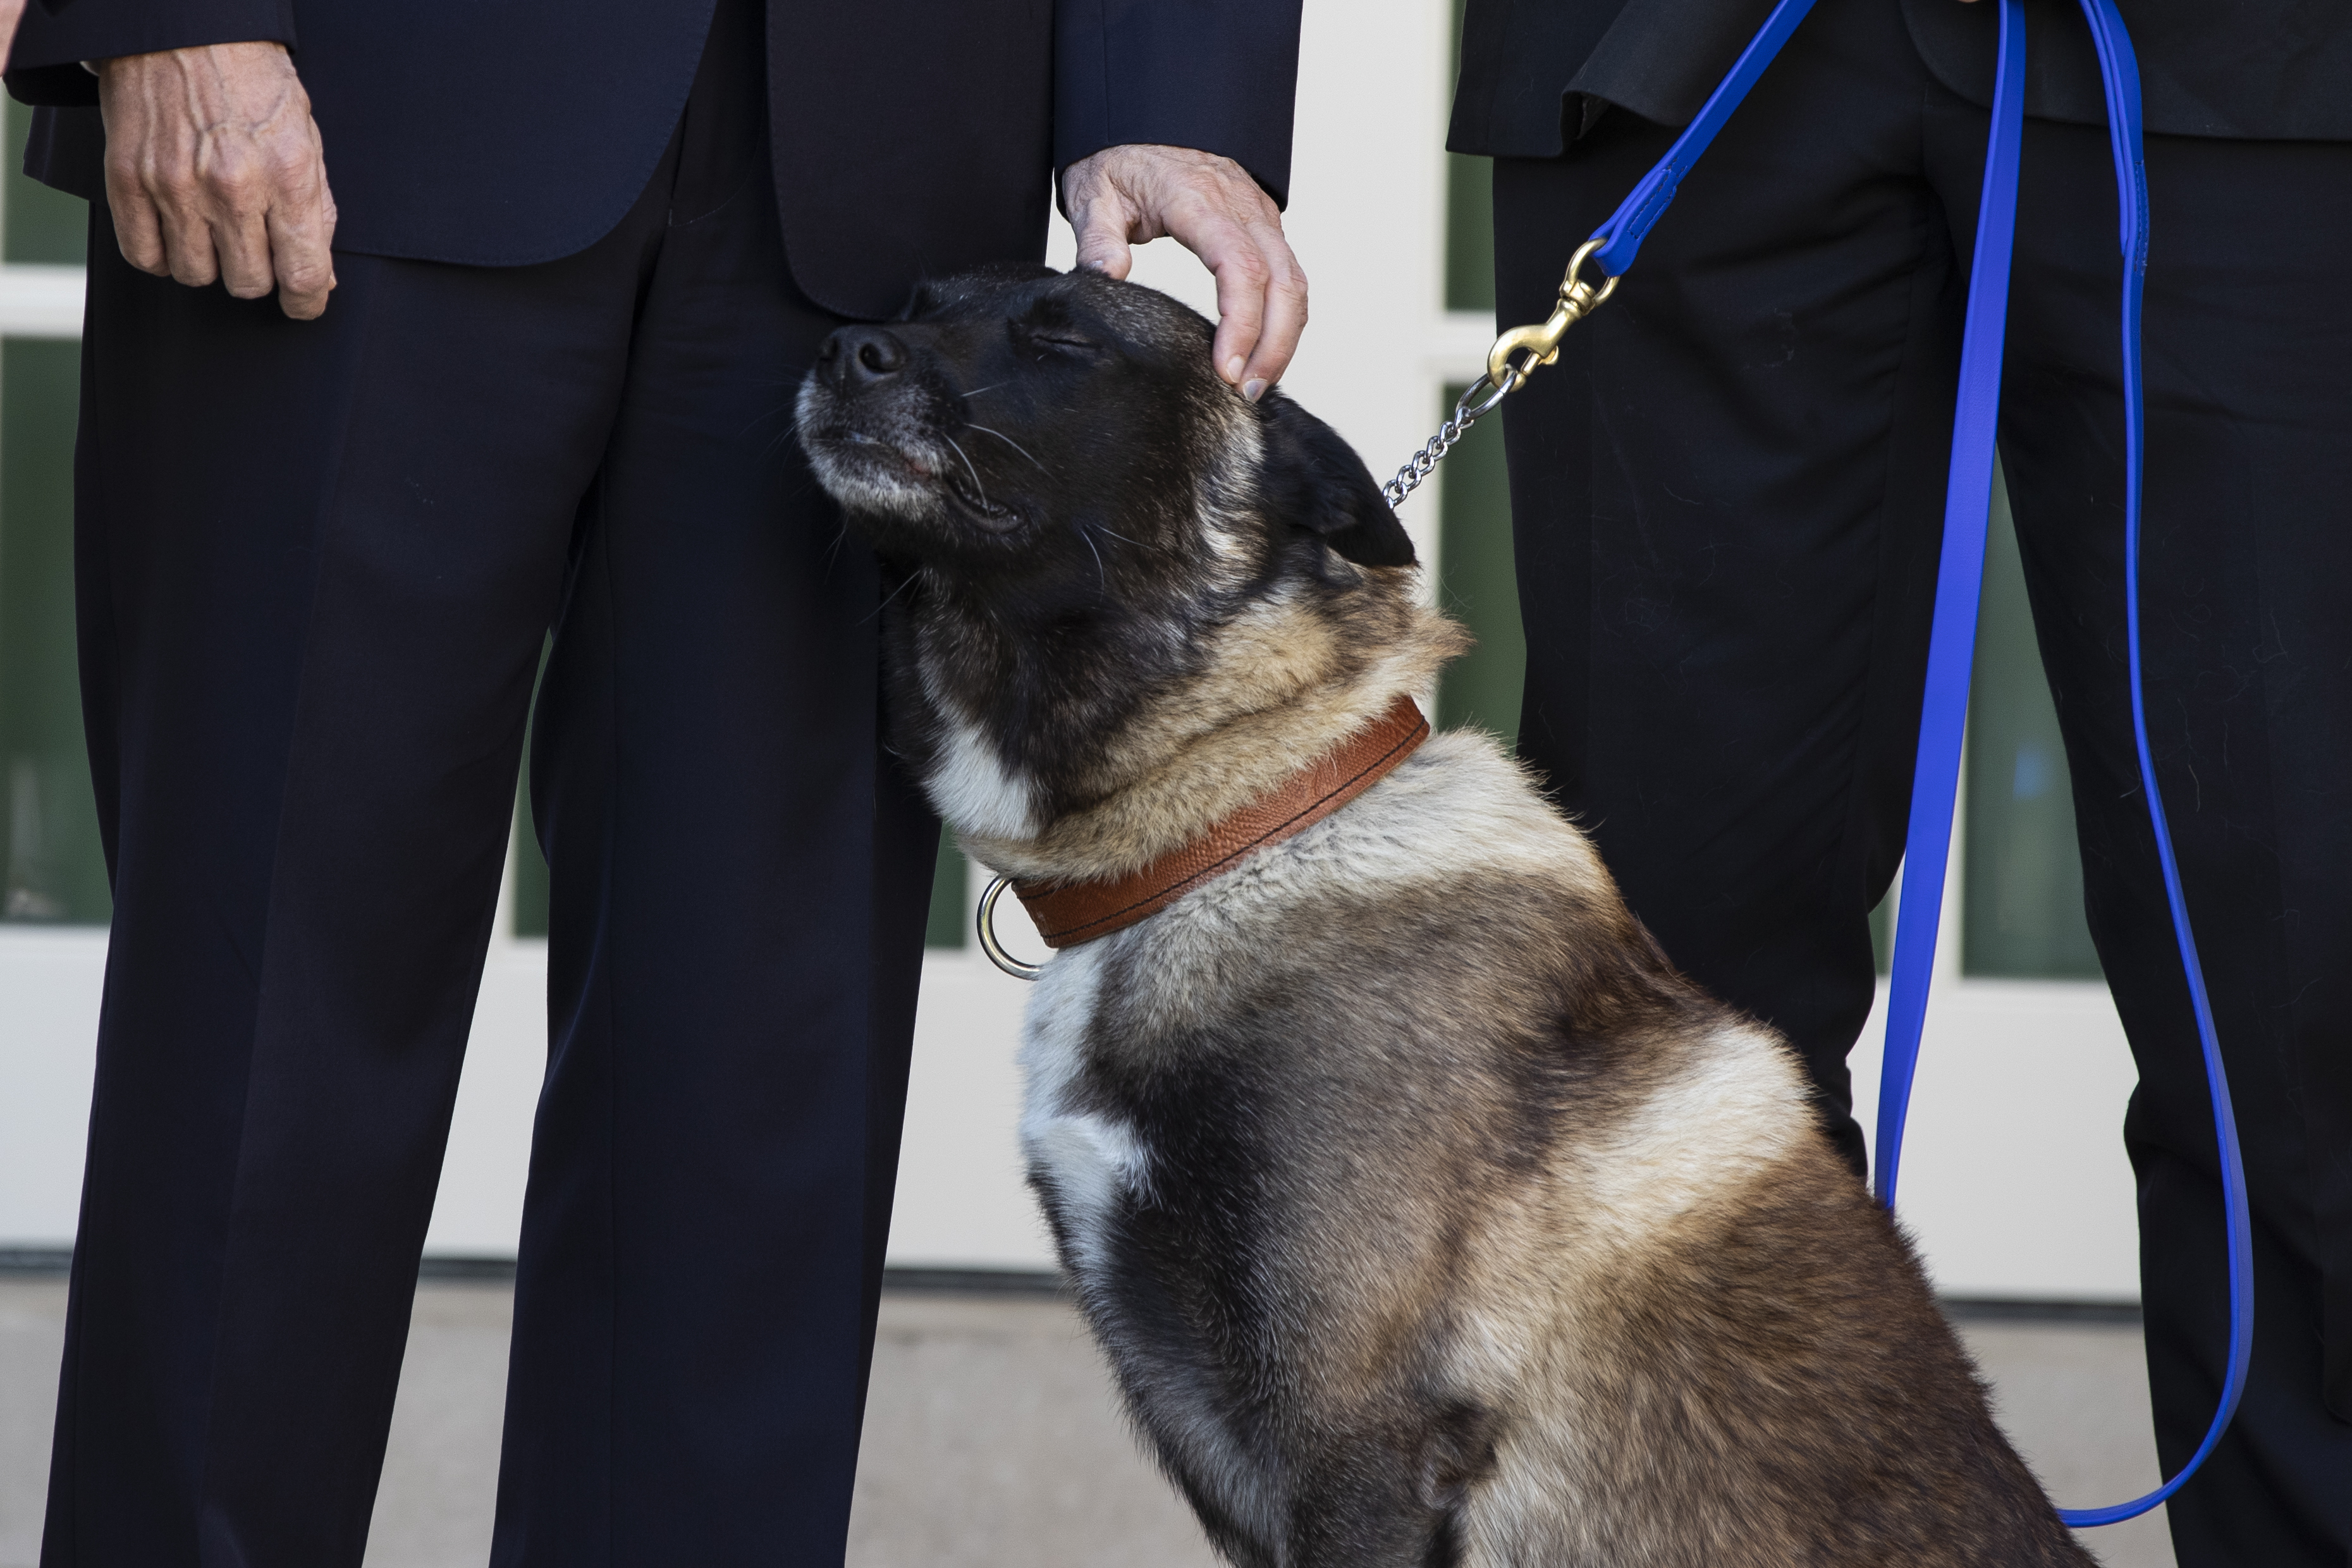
(2014, 1174)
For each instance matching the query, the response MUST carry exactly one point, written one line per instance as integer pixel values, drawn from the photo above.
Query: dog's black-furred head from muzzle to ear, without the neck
(1020, 424)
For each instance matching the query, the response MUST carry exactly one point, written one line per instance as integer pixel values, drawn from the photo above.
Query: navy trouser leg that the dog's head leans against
(740, 887)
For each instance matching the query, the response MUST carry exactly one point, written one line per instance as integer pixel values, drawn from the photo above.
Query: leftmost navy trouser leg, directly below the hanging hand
(316, 563)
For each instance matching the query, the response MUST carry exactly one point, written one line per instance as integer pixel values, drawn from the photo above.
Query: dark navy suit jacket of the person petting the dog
(911, 135)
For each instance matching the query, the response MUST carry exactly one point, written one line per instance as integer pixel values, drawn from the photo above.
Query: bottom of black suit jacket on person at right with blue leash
(1539, 72)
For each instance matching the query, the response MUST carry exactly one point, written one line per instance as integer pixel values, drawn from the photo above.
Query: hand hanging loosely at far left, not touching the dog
(215, 173)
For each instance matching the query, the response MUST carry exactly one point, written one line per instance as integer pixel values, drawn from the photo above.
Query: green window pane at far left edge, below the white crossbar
(51, 862)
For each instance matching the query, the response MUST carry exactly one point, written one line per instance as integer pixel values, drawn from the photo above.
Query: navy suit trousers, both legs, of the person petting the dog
(319, 565)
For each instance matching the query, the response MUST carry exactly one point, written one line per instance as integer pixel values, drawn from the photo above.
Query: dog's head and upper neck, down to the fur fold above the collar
(1100, 549)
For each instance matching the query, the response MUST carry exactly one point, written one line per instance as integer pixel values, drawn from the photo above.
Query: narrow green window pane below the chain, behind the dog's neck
(1478, 584)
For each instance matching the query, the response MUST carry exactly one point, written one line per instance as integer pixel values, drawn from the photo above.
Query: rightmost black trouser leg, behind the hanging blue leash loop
(2247, 572)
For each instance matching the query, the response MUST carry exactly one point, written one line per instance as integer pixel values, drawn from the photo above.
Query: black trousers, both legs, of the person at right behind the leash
(1730, 507)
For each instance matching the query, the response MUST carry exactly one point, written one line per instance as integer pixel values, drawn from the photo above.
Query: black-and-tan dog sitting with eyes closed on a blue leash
(1424, 1212)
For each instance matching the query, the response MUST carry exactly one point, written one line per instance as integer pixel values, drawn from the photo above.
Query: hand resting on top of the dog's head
(1210, 206)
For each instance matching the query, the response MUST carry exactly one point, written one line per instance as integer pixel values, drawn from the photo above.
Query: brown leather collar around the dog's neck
(1071, 913)
